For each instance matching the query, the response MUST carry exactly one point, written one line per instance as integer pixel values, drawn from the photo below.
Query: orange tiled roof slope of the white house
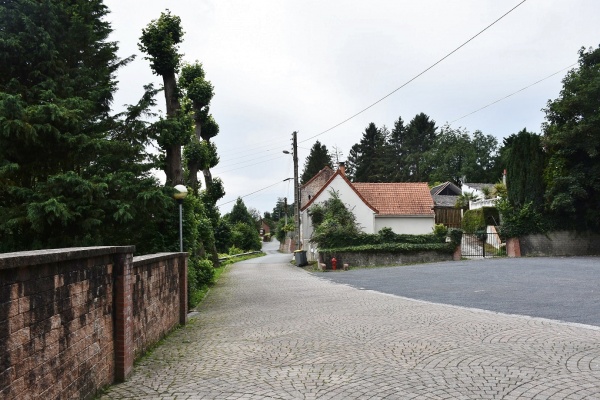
(401, 198)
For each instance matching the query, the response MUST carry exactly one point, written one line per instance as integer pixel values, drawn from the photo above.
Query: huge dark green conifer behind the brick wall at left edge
(67, 167)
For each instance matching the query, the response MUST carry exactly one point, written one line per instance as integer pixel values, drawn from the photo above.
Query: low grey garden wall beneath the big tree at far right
(562, 243)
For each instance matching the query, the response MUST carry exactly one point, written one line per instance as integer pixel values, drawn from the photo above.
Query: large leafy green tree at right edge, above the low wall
(572, 139)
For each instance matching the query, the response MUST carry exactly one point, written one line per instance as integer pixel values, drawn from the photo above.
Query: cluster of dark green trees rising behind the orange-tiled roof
(416, 152)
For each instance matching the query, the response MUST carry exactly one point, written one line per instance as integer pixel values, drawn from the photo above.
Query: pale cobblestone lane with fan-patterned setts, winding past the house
(271, 330)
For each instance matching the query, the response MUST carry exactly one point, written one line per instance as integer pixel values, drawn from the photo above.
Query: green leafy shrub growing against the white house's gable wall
(337, 223)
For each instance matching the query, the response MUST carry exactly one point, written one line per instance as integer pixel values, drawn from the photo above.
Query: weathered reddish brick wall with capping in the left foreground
(67, 317)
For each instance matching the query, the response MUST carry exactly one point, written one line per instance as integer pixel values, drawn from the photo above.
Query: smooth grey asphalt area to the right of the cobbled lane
(565, 289)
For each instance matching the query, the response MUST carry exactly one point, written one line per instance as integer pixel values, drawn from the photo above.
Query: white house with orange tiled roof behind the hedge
(405, 207)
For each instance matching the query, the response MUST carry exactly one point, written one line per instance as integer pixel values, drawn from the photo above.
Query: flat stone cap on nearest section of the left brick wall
(37, 257)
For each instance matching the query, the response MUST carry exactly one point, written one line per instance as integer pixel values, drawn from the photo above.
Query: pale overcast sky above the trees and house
(280, 66)
